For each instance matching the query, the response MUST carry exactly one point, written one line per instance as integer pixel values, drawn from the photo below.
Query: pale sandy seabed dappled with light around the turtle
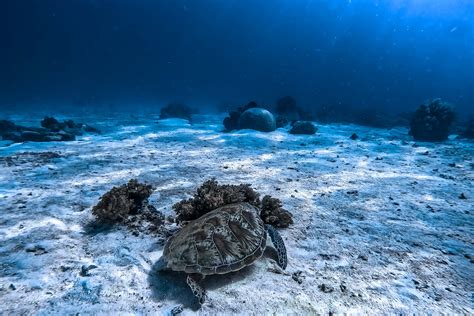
(380, 223)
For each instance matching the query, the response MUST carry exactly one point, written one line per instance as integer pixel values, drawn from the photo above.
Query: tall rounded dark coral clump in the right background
(432, 121)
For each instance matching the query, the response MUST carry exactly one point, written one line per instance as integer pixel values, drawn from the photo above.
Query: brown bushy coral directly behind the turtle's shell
(211, 195)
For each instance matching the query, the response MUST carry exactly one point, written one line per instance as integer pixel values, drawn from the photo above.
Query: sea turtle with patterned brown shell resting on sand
(224, 240)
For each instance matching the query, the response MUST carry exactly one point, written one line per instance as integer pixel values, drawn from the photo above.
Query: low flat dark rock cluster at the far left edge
(50, 130)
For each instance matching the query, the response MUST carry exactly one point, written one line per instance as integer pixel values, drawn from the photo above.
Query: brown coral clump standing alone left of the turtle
(120, 202)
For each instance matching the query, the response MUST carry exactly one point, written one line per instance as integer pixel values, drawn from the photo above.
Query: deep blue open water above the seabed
(391, 54)
